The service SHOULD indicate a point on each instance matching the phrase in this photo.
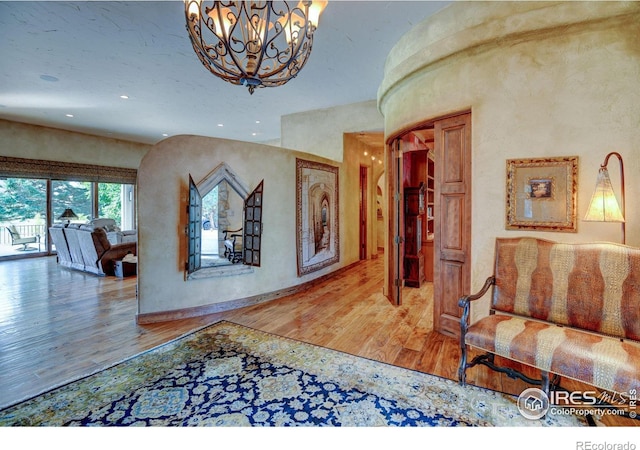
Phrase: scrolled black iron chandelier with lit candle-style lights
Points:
(253, 43)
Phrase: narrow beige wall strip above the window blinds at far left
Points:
(34, 142)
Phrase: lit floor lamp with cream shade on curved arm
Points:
(604, 206)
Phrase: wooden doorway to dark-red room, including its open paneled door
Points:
(429, 206)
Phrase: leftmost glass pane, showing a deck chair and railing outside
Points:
(23, 209)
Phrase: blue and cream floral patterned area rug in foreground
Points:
(231, 375)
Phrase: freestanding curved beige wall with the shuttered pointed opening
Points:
(162, 198)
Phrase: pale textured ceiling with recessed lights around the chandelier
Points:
(59, 58)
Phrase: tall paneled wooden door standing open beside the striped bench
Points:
(452, 246)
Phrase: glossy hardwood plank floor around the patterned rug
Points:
(57, 324)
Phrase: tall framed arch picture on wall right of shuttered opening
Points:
(317, 237)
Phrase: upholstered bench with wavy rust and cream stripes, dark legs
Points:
(569, 310)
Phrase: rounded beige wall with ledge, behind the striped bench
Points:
(542, 79)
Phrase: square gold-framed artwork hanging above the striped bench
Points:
(541, 194)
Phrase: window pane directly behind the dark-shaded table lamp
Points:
(74, 195)
